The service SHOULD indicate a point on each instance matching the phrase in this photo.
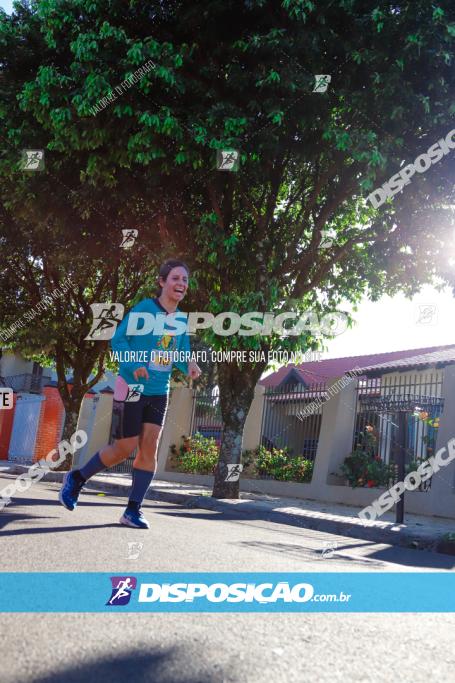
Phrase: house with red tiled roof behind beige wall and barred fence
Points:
(400, 397)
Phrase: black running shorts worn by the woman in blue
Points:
(129, 416)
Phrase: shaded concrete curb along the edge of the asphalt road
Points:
(391, 534)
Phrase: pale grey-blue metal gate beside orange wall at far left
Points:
(25, 428)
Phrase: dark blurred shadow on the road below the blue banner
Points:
(170, 666)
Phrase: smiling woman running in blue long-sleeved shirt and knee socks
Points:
(138, 423)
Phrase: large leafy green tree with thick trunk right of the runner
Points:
(241, 75)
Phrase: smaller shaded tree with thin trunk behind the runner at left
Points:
(69, 236)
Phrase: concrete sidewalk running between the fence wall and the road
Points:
(418, 531)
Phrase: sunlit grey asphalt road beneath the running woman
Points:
(37, 534)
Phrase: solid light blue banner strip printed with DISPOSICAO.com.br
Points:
(227, 592)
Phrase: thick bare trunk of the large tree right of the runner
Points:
(236, 394)
